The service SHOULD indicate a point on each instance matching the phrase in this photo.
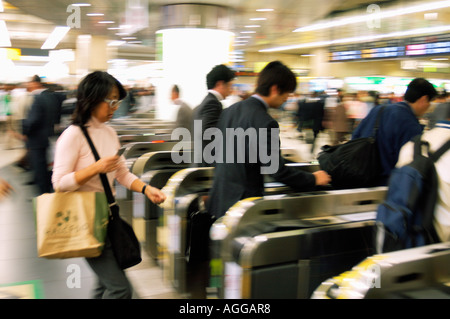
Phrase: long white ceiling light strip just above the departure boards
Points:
(414, 32)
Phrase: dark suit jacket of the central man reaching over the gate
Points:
(234, 181)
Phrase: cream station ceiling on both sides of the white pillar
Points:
(29, 22)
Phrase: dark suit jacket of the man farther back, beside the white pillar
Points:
(208, 112)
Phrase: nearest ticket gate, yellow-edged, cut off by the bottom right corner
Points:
(416, 273)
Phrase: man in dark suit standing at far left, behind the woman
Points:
(37, 128)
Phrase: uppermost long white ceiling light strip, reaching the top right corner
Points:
(383, 14)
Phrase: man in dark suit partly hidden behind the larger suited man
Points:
(219, 84)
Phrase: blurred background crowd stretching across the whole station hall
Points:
(336, 112)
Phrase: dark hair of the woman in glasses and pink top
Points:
(92, 90)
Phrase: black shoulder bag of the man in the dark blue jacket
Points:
(355, 163)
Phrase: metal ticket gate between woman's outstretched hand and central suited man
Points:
(187, 191)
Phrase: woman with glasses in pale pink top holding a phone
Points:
(75, 168)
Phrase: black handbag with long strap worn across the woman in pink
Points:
(125, 245)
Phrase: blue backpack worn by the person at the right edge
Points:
(405, 218)
